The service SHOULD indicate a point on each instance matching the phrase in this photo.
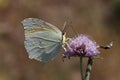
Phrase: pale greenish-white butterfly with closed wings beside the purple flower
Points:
(43, 41)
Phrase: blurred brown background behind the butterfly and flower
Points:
(97, 18)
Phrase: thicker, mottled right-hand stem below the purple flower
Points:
(88, 69)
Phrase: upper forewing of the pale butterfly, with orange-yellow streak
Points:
(30, 23)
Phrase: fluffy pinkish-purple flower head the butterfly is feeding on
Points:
(82, 45)
